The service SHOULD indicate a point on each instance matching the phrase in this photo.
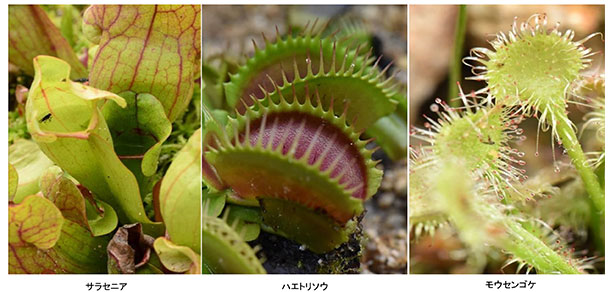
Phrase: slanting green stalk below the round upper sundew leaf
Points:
(577, 157)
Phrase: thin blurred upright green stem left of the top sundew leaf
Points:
(454, 74)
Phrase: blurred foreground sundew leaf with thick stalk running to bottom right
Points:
(475, 219)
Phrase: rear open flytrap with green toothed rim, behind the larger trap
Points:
(283, 61)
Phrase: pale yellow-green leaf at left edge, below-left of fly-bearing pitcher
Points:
(29, 162)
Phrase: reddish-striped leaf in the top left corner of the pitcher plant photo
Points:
(31, 33)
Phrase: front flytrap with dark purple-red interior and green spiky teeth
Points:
(268, 156)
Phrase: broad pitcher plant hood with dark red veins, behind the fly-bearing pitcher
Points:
(152, 49)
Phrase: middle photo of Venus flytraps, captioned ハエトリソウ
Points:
(305, 139)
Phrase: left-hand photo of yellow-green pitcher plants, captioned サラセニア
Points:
(104, 139)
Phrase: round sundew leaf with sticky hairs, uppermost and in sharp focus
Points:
(531, 65)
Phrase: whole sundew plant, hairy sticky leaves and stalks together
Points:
(468, 174)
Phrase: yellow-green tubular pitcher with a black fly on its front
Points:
(65, 121)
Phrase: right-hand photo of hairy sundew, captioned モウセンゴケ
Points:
(507, 139)
